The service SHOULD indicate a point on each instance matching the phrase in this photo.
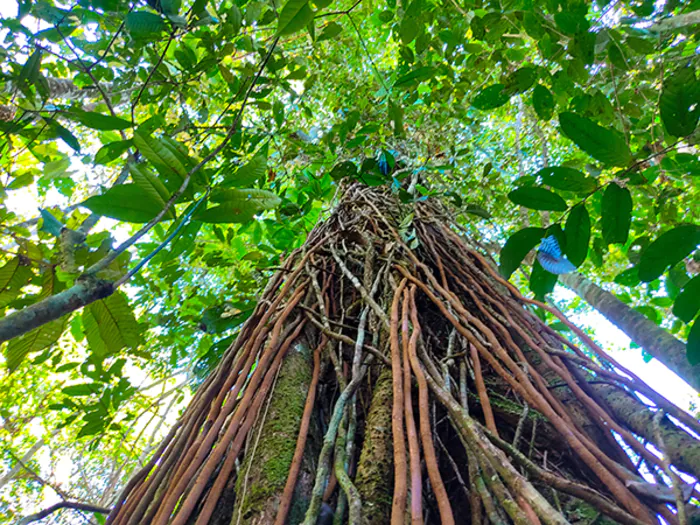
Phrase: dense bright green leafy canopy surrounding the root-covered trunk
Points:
(217, 135)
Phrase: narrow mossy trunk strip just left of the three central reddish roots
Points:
(375, 473)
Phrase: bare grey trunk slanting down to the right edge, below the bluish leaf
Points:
(654, 339)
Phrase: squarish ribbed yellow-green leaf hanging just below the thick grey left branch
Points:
(110, 325)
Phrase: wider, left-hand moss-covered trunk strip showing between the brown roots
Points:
(263, 474)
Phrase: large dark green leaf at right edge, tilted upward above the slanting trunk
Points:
(671, 247)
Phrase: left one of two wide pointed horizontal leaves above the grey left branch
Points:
(126, 202)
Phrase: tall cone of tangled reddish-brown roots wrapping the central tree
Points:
(388, 372)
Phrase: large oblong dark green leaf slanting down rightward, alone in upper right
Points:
(605, 145)
